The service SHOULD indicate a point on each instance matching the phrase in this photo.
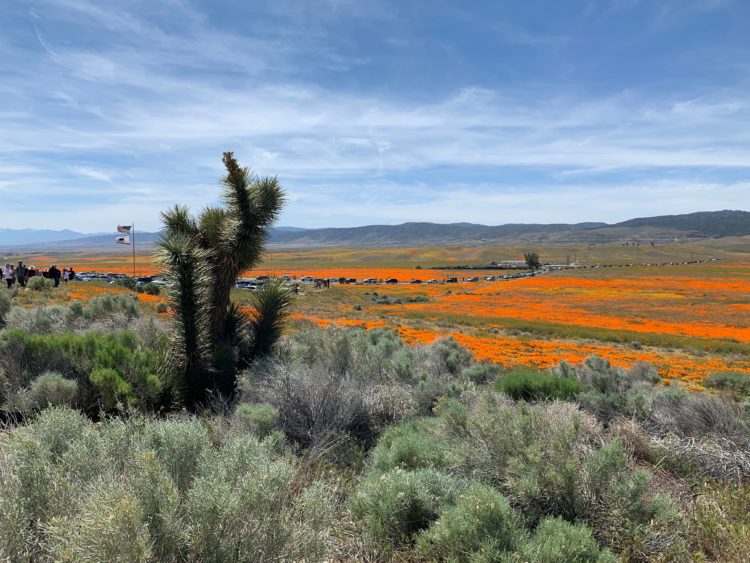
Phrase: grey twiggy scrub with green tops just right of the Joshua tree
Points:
(329, 384)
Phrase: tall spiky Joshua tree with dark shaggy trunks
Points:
(202, 258)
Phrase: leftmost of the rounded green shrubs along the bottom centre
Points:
(395, 506)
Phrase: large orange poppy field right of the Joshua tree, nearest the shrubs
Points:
(687, 321)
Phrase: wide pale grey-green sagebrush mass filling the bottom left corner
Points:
(145, 490)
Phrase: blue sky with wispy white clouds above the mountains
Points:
(374, 112)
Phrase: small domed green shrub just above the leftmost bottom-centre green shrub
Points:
(408, 446)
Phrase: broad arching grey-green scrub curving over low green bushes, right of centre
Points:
(547, 459)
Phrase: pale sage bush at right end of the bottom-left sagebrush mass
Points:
(241, 508)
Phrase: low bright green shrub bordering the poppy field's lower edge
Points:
(532, 385)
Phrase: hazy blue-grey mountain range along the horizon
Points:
(666, 228)
